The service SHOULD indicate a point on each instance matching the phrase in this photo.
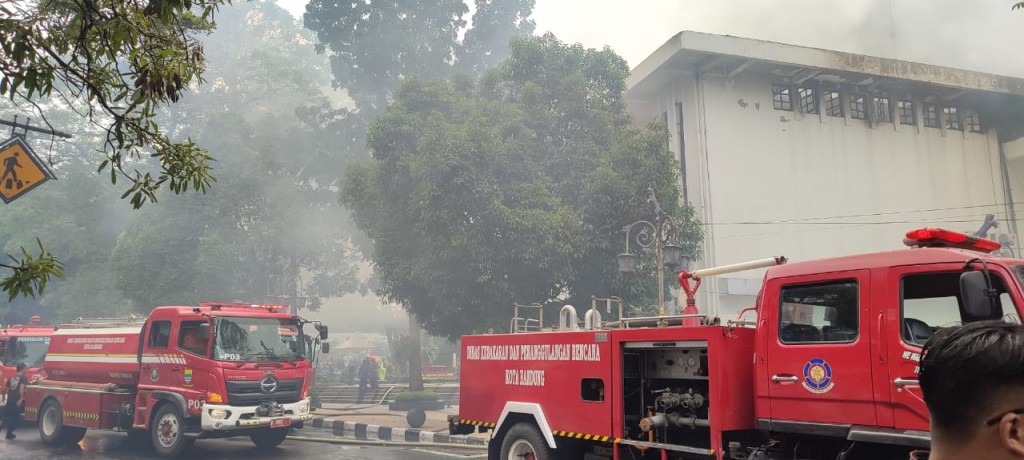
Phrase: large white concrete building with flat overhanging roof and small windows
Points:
(810, 153)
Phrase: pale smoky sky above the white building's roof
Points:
(978, 35)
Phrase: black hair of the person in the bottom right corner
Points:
(966, 370)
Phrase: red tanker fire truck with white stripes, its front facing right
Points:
(217, 370)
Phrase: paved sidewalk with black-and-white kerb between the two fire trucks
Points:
(369, 422)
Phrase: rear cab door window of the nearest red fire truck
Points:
(820, 313)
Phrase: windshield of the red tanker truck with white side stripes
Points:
(259, 340)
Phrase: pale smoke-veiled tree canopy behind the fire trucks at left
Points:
(272, 228)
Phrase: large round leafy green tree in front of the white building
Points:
(514, 189)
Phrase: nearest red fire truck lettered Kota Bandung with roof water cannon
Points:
(825, 366)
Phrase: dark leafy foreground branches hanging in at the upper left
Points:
(116, 63)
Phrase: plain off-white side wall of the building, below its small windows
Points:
(763, 180)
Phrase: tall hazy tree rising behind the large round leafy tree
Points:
(374, 46)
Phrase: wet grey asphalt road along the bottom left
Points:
(100, 445)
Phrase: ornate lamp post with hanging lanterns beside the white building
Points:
(657, 234)
